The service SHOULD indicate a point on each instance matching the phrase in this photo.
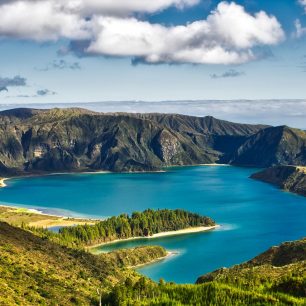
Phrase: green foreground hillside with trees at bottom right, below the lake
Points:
(276, 277)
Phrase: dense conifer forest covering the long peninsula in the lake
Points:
(139, 224)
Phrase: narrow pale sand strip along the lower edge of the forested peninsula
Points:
(162, 234)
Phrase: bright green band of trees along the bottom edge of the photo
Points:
(146, 292)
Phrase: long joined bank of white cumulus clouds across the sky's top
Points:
(227, 36)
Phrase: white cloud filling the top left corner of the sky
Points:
(40, 20)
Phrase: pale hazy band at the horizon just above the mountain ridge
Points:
(270, 112)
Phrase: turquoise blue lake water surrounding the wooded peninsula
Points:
(253, 215)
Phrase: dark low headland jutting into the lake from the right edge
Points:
(290, 178)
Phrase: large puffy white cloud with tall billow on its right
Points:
(225, 37)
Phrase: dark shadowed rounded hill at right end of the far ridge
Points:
(272, 146)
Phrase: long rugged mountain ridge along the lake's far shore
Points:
(38, 141)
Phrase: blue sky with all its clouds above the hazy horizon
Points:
(267, 55)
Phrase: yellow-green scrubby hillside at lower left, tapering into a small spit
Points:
(35, 271)
